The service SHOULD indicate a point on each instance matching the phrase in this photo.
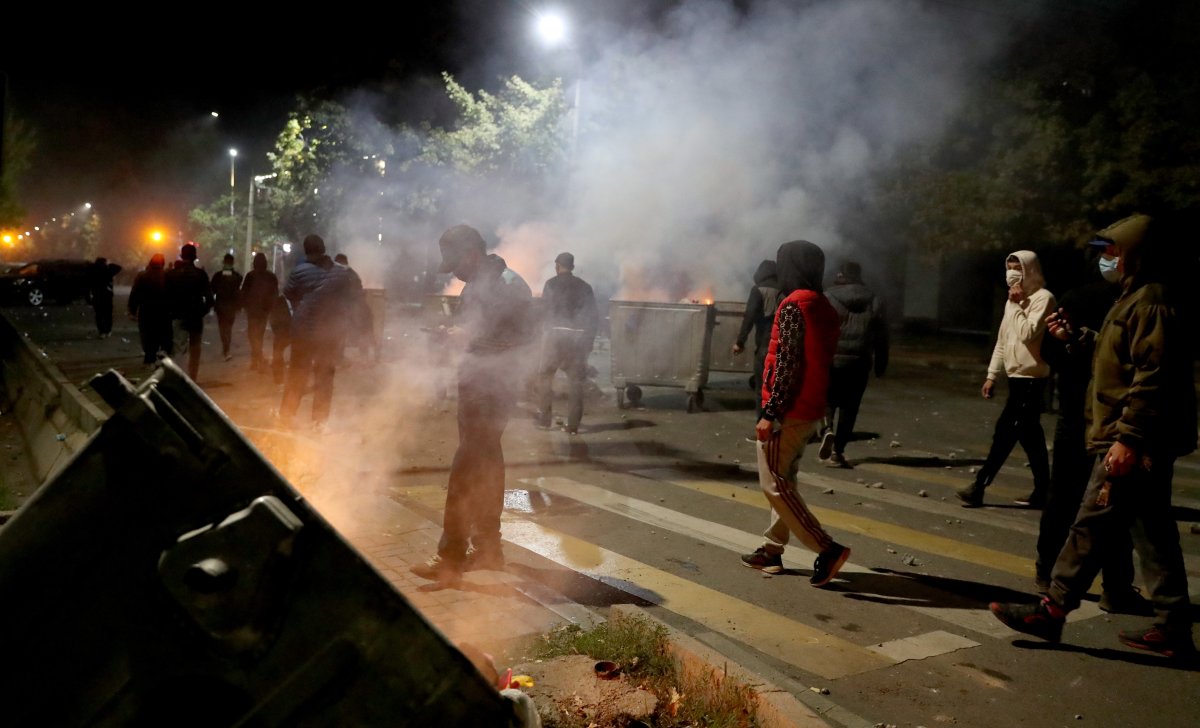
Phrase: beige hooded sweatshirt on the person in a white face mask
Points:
(1018, 351)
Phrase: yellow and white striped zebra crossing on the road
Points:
(796, 642)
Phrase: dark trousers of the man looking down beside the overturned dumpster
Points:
(476, 492)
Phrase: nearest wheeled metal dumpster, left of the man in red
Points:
(661, 345)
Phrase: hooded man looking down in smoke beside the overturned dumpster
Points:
(495, 321)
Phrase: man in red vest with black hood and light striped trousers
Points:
(796, 380)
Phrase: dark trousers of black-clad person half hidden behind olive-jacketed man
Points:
(1070, 472)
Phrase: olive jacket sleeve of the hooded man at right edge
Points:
(1144, 401)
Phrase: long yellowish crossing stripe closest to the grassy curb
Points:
(808, 648)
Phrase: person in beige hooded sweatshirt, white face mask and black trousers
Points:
(1018, 356)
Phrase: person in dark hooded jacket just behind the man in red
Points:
(865, 336)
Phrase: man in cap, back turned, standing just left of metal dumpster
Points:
(571, 322)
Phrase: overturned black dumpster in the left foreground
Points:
(170, 576)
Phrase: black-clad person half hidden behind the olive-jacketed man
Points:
(1071, 342)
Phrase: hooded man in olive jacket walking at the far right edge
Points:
(1142, 419)
